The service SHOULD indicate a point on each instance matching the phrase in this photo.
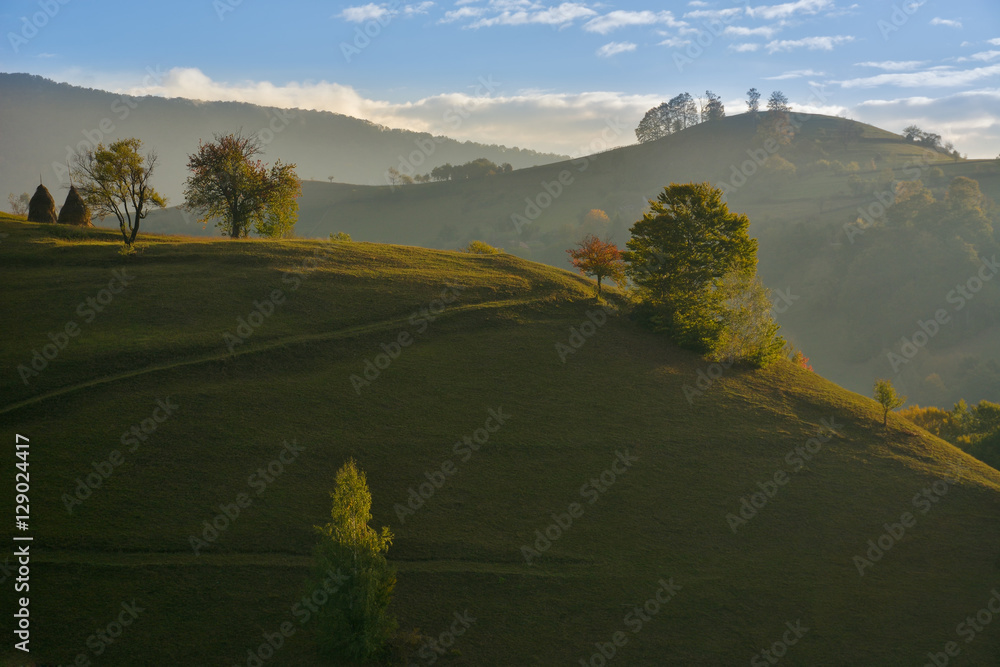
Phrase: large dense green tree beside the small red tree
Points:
(678, 256)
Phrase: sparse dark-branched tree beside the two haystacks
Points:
(115, 180)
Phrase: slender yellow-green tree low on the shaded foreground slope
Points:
(355, 623)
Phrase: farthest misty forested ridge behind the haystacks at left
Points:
(39, 119)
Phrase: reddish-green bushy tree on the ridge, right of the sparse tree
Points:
(228, 184)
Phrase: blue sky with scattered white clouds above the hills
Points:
(561, 77)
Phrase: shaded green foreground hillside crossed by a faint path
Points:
(622, 392)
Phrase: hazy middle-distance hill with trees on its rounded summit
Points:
(846, 313)
